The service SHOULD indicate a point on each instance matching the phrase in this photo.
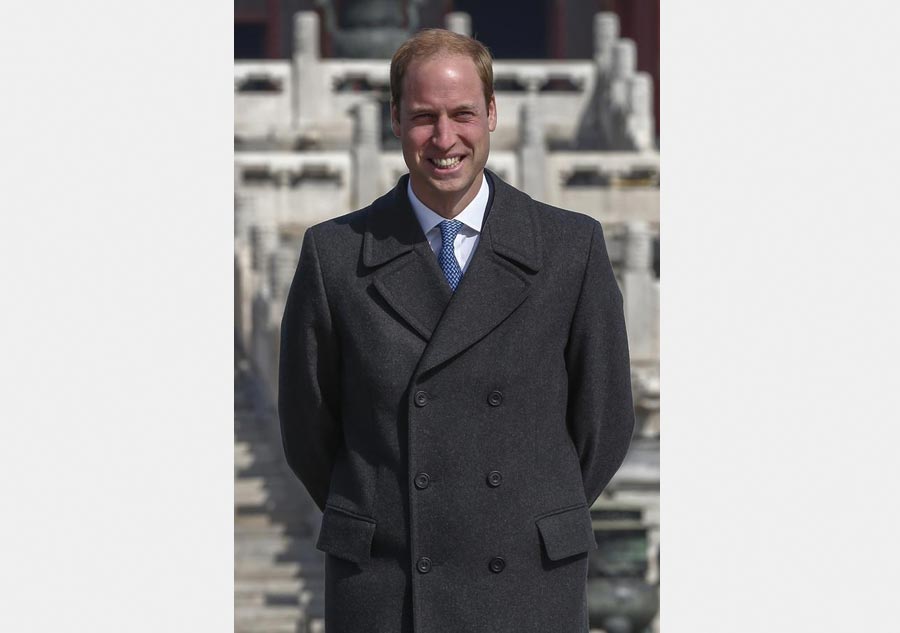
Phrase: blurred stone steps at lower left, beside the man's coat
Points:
(279, 576)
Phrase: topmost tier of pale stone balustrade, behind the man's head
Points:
(601, 103)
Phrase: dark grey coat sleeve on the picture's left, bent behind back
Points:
(308, 377)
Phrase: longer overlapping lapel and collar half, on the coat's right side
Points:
(498, 278)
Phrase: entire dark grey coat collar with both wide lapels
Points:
(408, 278)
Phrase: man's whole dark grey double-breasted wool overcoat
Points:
(455, 441)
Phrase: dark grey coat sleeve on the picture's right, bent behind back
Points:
(600, 412)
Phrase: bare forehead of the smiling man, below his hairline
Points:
(442, 77)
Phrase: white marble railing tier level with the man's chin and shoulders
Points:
(307, 187)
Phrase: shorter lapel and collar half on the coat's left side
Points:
(408, 278)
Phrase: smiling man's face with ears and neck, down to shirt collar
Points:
(444, 127)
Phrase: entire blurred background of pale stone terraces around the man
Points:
(577, 85)
